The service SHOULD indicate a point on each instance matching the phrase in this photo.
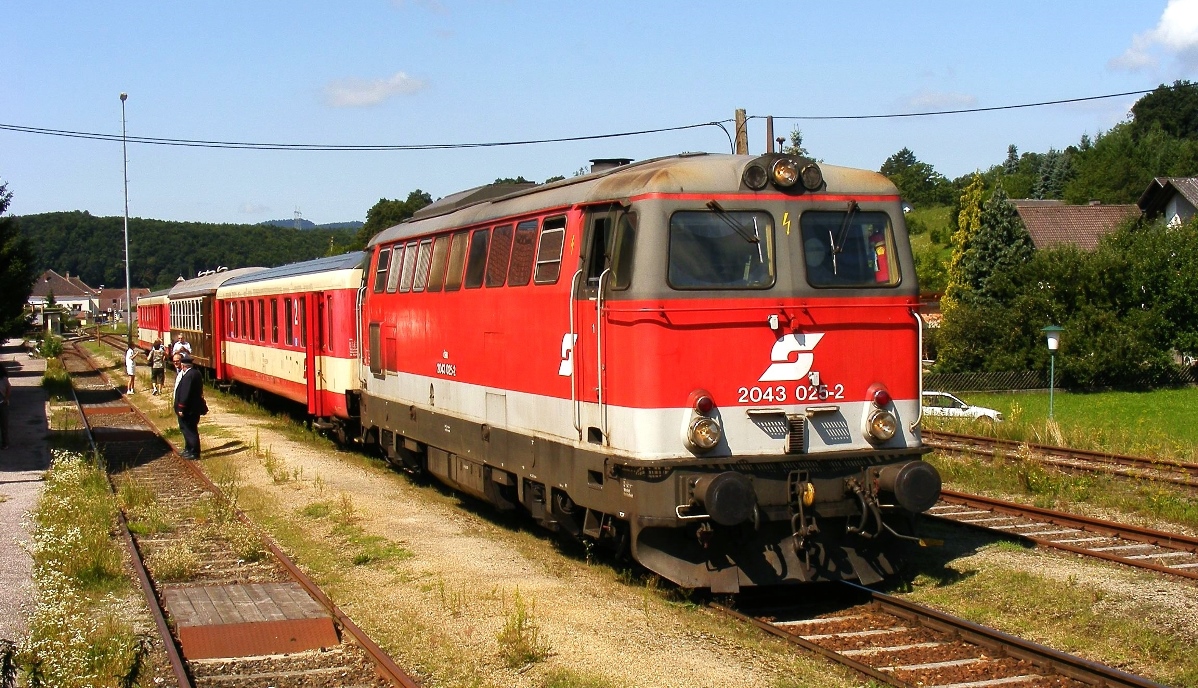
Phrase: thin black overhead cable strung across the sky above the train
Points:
(344, 148)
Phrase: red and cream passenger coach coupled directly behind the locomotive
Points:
(291, 331)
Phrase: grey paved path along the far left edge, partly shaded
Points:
(21, 484)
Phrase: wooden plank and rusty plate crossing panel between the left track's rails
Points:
(245, 620)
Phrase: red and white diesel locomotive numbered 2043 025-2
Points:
(710, 360)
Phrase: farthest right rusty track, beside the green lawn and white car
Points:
(1184, 474)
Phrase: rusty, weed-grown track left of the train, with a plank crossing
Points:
(245, 615)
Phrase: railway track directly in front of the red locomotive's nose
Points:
(899, 643)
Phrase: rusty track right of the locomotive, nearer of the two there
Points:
(1145, 548)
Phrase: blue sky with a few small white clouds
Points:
(443, 71)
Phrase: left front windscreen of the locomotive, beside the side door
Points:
(722, 250)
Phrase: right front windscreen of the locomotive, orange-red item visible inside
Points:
(849, 249)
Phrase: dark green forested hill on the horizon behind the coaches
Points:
(161, 252)
